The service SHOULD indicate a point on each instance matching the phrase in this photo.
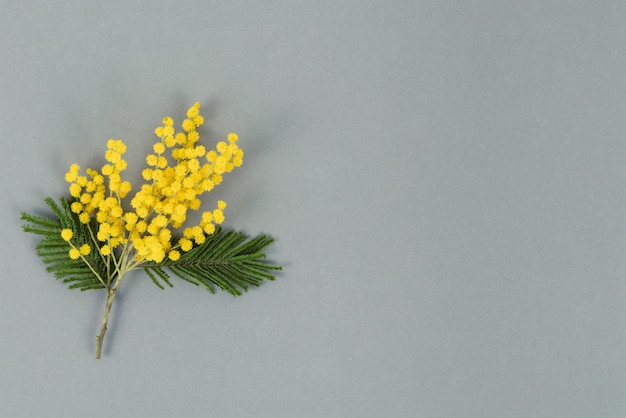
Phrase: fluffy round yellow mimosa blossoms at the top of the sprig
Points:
(173, 186)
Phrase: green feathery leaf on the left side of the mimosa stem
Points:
(54, 251)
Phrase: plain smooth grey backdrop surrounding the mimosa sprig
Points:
(445, 180)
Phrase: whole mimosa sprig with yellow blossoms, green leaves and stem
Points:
(94, 239)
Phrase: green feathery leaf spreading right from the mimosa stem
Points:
(229, 261)
